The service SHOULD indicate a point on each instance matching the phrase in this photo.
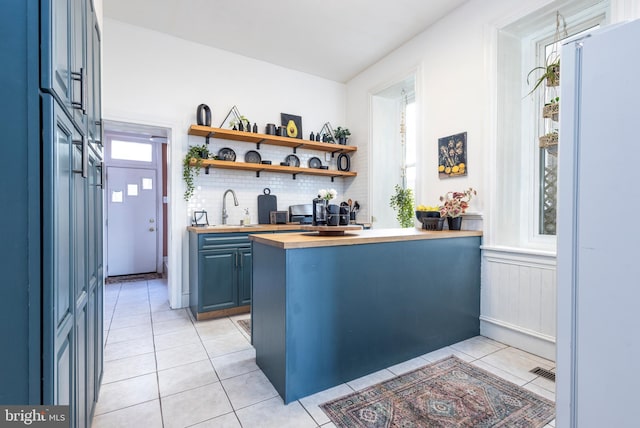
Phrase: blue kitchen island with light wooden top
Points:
(329, 309)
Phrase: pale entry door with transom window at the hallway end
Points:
(135, 216)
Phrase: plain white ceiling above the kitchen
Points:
(334, 39)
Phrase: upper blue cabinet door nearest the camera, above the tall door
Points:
(64, 57)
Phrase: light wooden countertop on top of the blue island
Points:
(312, 239)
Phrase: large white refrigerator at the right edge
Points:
(598, 270)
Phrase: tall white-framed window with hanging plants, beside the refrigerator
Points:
(524, 173)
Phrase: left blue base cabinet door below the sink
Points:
(217, 288)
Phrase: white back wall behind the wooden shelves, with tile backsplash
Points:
(156, 79)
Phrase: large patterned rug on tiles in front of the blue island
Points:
(447, 393)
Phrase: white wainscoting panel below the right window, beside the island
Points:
(518, 299)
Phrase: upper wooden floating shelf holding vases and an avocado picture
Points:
(273, 140)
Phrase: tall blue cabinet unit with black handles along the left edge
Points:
(51, 172)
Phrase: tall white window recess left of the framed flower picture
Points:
(393, 147)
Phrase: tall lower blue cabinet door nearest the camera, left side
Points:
(60, 137)
